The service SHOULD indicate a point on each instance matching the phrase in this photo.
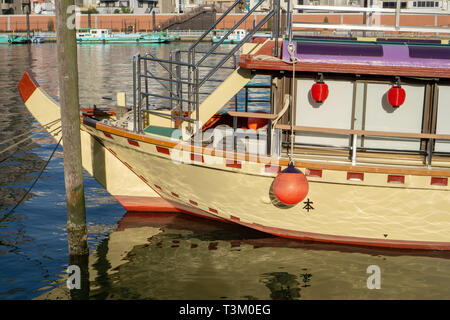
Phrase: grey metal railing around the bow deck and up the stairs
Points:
(182, 80)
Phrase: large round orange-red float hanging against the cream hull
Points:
(291, 185)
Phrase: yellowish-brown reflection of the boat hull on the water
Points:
(176, 256)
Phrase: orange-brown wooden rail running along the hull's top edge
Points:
(233, 155)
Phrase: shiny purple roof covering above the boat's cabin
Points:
(385, 55)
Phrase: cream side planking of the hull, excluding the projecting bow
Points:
(370, 212)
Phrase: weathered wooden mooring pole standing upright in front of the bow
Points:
(70, 120)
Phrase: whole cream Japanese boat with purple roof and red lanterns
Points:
(355, 147)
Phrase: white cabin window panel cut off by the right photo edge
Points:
(443, 116)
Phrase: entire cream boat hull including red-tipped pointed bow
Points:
(138, 168)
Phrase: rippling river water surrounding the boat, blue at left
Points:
(161, 256)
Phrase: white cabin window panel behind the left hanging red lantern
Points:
(334, 112)
